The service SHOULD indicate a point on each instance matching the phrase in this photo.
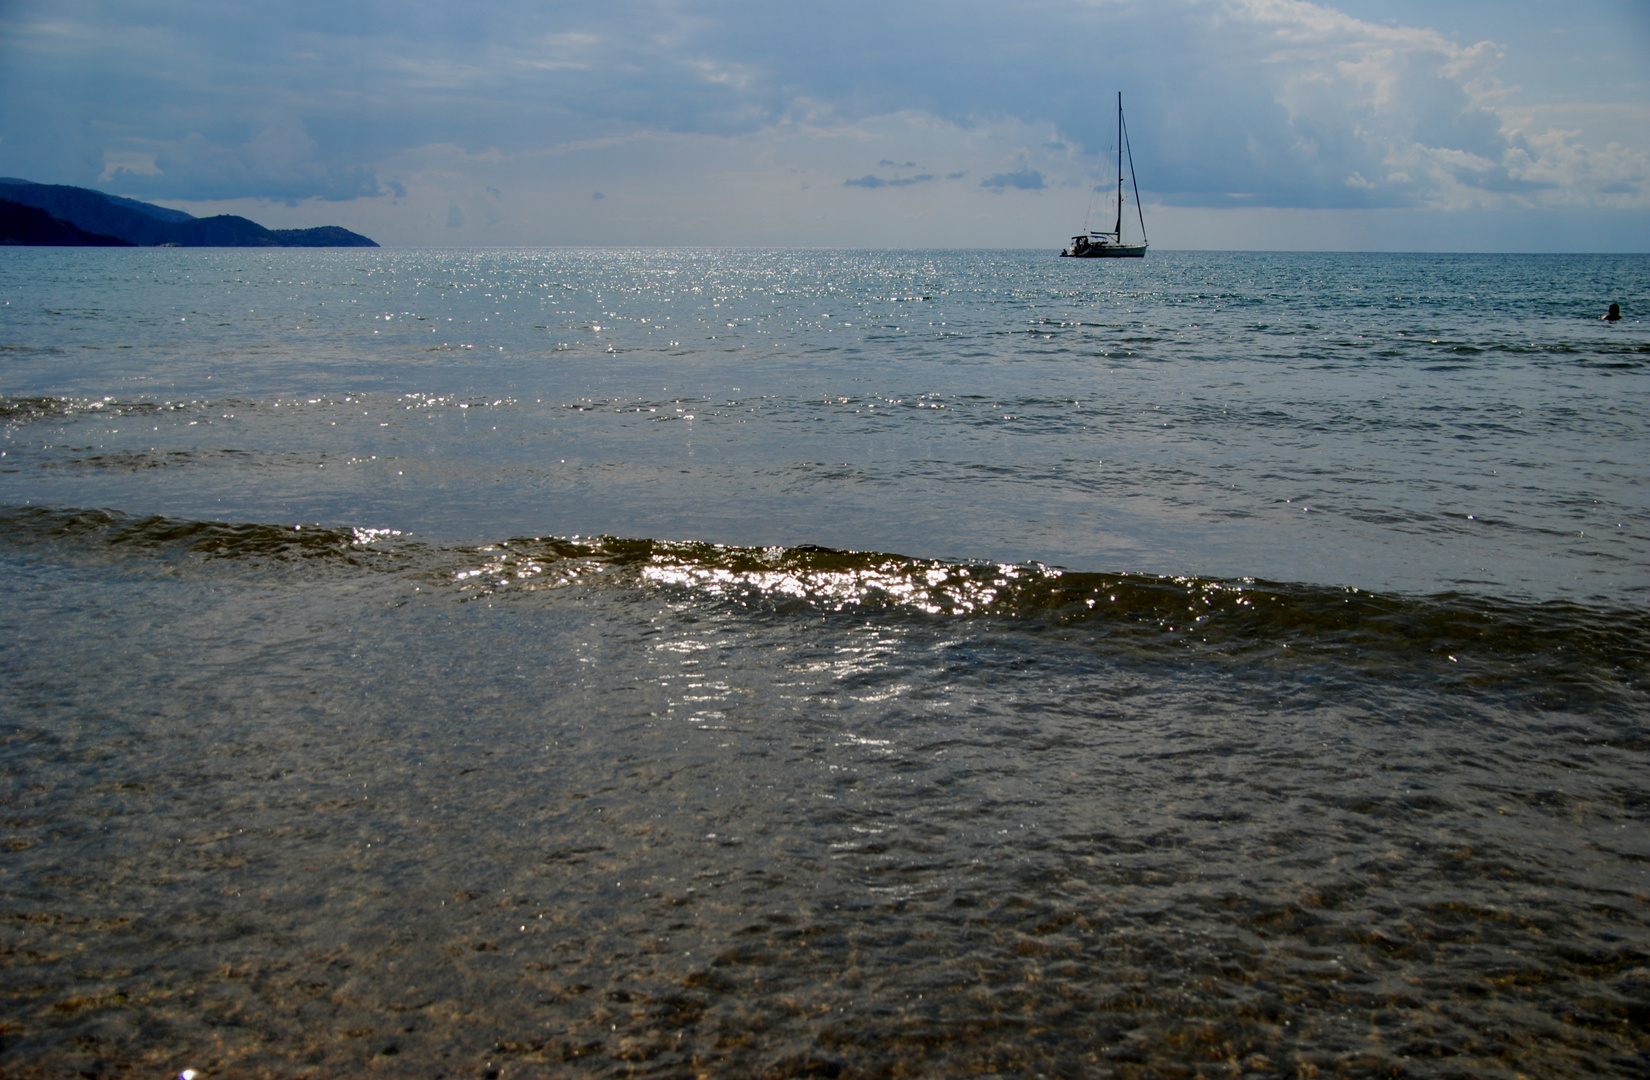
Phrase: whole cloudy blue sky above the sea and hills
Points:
(1253, 124)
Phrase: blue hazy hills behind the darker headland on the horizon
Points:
(143, 223)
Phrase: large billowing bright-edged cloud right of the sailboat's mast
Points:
(1334, 111)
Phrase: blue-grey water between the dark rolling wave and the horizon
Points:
(1408, 423)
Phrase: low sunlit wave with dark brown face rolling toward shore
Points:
(1557, 646)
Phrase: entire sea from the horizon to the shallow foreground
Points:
(823, 664)
